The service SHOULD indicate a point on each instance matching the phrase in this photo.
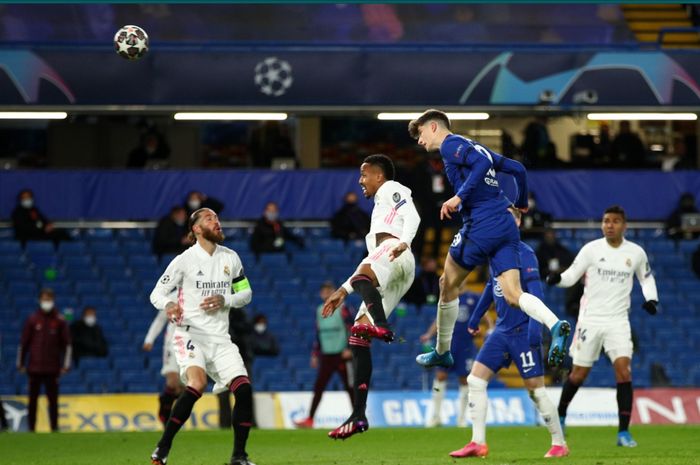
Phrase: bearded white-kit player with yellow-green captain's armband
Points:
(209, 280)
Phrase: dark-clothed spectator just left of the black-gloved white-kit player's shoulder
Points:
(554, 257)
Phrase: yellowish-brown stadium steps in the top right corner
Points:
(647, 21)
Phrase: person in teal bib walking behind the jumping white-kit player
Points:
(330, 353)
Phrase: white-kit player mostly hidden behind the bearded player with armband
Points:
(170, 370)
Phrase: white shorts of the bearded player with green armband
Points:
(221, 360)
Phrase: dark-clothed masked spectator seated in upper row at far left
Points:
(30, 224)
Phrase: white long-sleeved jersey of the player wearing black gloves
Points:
(608, 279)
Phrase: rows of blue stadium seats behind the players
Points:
(115, 271)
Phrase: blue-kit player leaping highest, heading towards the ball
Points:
(489, 233)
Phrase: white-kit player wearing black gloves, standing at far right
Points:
(609, 265)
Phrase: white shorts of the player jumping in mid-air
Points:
(395, 278)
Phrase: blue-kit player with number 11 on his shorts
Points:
(518, 339)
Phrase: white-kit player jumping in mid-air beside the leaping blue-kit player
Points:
(381, 279)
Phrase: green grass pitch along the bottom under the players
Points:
(658, 445)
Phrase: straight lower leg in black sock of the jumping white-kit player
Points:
(362, 365)
